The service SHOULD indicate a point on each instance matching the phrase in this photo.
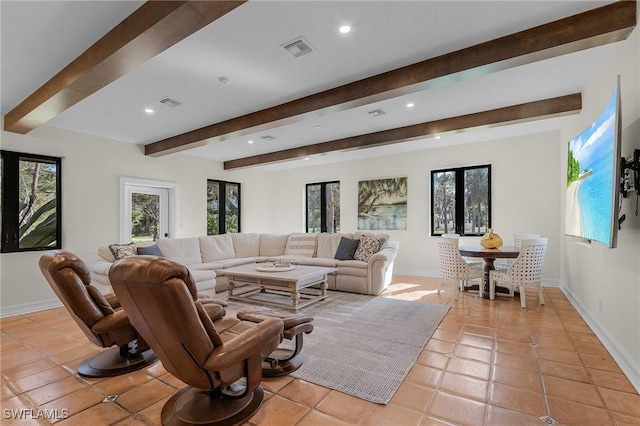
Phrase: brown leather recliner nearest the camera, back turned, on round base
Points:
(222, 369)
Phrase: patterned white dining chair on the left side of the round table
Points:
(454, 267)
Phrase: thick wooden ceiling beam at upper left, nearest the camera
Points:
(151, 29)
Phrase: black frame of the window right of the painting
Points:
(460, 199)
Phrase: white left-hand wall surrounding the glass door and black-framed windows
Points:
(91, 171)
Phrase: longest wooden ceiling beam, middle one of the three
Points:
(603, 25)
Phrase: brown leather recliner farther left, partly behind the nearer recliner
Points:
(99, 316)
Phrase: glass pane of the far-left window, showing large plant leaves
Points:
(37, 218)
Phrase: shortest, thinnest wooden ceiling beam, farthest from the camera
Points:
(547, 108)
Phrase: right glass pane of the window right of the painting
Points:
(476, 200)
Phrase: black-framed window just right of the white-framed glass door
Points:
(223, 207)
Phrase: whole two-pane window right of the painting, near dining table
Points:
(461, 200)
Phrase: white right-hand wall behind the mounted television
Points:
(605, 283)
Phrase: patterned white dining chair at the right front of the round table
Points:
(525, 271)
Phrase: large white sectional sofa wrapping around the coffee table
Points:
(208, 256)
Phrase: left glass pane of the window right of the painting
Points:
(444, 202)
